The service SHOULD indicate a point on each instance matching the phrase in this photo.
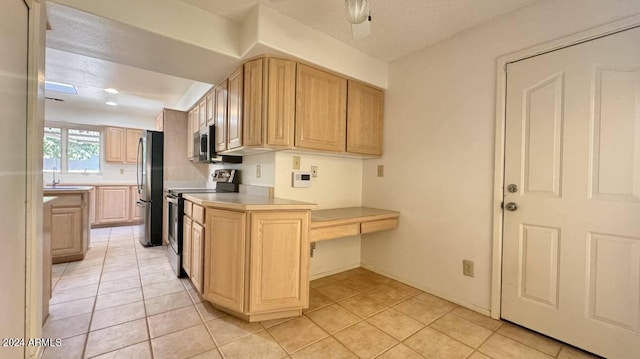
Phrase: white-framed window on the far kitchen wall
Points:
(71, 149)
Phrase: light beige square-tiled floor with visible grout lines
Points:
(123, 301)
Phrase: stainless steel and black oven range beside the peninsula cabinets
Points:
(226, 181)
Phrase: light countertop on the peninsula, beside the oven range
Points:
(246, 202)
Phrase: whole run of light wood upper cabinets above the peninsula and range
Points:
(274, 103)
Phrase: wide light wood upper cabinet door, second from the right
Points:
(321, 110)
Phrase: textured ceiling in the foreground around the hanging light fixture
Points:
(399, 27)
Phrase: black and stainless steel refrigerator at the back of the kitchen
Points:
(149, 182)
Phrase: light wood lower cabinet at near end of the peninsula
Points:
(256, 263)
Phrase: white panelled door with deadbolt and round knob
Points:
(571, 248)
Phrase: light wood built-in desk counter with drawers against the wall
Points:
(344, 222)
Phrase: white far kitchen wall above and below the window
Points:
(110, 172)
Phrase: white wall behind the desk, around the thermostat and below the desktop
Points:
(339, 184)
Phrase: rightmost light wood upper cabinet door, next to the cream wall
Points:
(365, 108)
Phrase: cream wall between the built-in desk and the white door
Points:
(439, 148)
